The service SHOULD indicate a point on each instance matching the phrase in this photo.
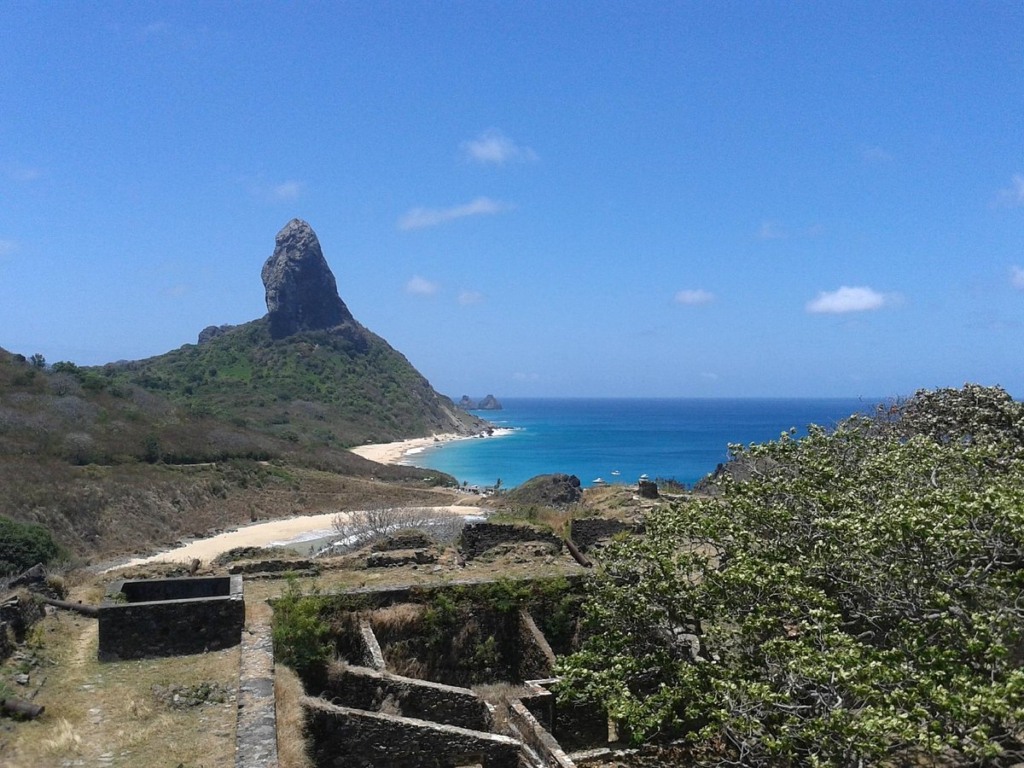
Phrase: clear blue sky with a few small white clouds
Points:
(532, 198)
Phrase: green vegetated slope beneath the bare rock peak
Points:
(337, 388)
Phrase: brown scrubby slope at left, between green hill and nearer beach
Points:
(112, 467)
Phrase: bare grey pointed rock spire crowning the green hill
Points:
(302, 293)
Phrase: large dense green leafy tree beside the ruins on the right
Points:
(848, 599)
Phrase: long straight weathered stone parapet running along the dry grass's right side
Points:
(257, 732)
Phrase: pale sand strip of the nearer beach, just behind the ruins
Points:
(269, 534)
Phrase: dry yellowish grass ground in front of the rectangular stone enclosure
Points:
(107, 714)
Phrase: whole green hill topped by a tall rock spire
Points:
(308, 371)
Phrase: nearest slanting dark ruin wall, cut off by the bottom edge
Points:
(344, 738)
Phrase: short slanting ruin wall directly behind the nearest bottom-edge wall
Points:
(363, 689)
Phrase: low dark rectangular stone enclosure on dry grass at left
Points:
(172, 626)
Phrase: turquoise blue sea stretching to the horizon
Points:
(684, 440)
